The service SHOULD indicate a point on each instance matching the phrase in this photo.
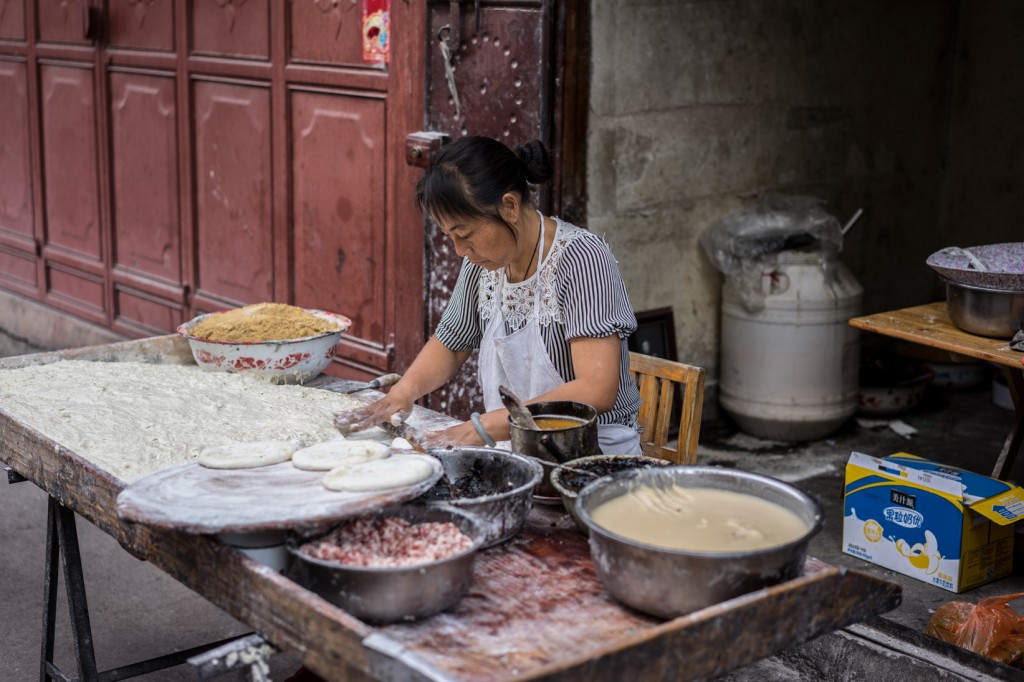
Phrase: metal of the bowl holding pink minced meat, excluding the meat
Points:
(405, 593)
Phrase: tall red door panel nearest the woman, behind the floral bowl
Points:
(338, 181)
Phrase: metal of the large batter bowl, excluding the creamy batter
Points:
(669, 583)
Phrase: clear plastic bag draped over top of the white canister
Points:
(746, 244)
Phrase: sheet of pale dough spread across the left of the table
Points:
(134, 419)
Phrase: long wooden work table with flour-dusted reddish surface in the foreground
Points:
(536, 609)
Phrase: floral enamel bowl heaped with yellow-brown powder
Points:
(282, 344)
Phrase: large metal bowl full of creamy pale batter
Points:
(669, 541)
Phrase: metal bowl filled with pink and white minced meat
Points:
(402, 564)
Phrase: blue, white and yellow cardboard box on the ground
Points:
(945, 526)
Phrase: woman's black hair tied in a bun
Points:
(470, 178)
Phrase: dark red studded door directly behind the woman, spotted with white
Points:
(518, 68)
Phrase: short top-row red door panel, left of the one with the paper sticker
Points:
(233, 28)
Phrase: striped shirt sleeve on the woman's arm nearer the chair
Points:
(591, 293)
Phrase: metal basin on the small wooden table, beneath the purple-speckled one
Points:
(993, 313)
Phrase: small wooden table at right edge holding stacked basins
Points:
(930, 326)
